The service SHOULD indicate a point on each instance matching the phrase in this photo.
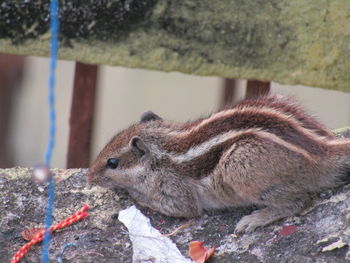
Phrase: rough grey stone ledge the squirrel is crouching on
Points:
(322, 233)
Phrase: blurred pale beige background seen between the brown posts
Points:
(122, 95)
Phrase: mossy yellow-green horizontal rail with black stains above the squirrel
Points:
(292, 42)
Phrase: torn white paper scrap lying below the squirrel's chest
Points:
(149, 245)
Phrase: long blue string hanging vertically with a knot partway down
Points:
(54, 28)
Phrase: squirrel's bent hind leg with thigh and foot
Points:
(262, 170)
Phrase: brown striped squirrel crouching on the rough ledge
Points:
(266, 151)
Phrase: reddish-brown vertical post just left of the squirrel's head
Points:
(81, 116)
